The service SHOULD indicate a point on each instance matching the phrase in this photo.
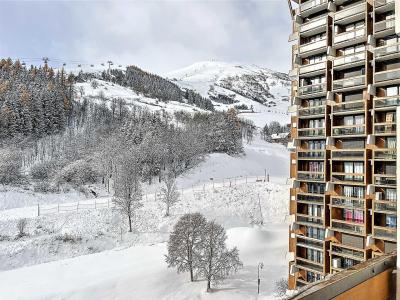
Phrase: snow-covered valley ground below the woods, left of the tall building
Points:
(82, 254)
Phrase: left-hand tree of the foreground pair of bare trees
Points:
(184, 243)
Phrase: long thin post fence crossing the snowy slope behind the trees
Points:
(212, 184)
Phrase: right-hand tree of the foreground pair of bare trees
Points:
(216, 261)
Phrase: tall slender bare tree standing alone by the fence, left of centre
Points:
(128, 193)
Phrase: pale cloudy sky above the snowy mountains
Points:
(158, 36)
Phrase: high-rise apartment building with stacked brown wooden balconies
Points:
(345, 92)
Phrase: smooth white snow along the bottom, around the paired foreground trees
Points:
(140, 272)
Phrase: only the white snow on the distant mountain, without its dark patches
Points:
(201, 76)
